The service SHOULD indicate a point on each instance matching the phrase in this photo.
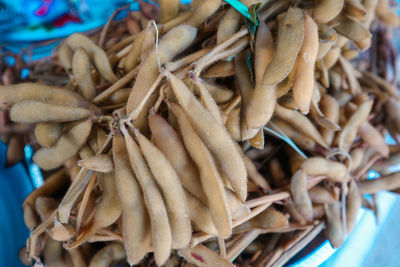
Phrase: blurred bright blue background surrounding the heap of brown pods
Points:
(31, 29)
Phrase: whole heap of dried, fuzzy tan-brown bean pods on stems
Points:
(205, 139)
